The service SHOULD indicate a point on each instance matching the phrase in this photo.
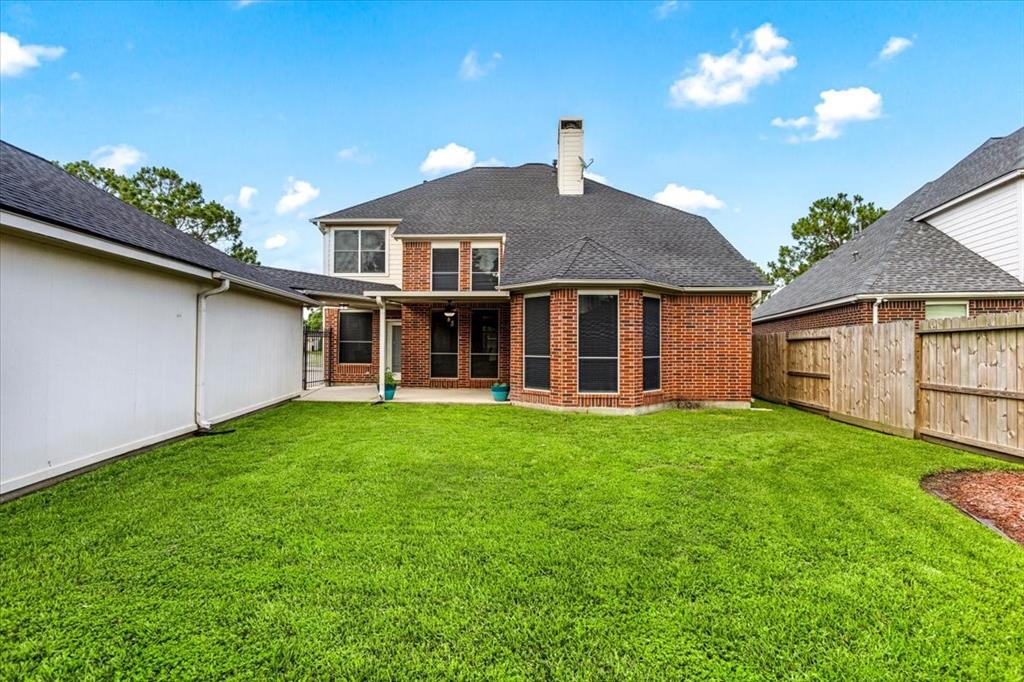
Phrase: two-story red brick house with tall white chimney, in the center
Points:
(580, 295)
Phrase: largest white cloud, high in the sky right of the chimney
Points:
(729, 79)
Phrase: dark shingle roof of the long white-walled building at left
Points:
(34, 187)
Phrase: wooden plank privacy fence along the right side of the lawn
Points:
(960, 381)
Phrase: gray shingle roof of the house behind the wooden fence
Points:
(899, 255)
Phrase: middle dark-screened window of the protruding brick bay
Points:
(599, 343)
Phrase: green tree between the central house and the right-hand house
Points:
(830, 223)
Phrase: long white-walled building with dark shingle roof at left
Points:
(118, 332)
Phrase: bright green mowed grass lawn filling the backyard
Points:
(399, 541)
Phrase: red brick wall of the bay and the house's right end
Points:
(706, 352)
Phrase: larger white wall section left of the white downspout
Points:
(97, 359)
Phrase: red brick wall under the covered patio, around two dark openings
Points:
(416, 346)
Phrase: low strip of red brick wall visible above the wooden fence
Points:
(861, 314)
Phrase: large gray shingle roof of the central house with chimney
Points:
(629, 235)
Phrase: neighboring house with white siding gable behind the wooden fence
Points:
(954, 248)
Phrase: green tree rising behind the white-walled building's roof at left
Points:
(166, 196)
